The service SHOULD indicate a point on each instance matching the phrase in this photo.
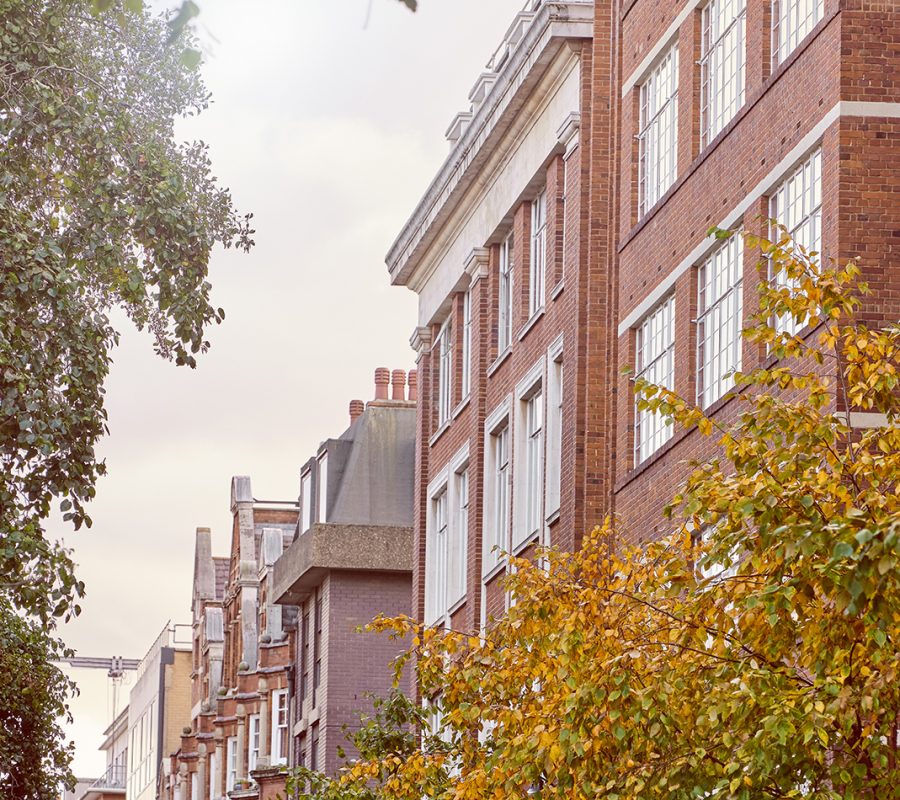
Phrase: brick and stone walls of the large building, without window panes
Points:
(609, 264)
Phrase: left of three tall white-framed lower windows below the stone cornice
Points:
(497, 484)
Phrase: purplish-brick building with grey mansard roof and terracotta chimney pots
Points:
(349, 562)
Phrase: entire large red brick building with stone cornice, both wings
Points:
(565, 237)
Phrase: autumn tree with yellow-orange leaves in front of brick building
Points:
(753, 653)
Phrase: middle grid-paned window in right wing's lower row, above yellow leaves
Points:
(720, 306)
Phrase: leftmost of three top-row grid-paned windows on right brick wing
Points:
(658, 137)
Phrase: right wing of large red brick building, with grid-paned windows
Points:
(733, 112)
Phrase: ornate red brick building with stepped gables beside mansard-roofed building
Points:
(238, 741)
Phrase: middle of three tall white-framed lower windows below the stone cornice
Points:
(528, 491)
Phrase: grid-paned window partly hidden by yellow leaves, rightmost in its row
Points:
(797, 204)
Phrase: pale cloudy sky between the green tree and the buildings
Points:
(327, 123)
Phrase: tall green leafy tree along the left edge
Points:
(101, 211)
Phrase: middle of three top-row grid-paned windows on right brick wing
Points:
(722, 64)
